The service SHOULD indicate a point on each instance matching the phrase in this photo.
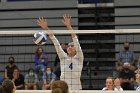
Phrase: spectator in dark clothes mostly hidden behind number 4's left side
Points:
(57, 63)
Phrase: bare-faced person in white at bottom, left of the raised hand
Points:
(109, 84)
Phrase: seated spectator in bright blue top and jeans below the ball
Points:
(41, 61)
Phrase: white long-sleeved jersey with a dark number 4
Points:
(71, 67)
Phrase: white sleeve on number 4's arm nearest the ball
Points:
(58, 48)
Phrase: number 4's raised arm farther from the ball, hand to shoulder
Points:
(67, 22)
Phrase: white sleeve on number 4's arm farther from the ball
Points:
(79, 51)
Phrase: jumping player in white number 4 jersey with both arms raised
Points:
(71, 62)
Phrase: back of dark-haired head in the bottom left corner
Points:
(8, 86)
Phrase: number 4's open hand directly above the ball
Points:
(43, 23)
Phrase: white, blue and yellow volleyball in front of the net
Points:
(40, 38)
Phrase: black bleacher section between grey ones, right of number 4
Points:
(97, 15)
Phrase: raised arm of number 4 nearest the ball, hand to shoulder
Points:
(43, 23)
